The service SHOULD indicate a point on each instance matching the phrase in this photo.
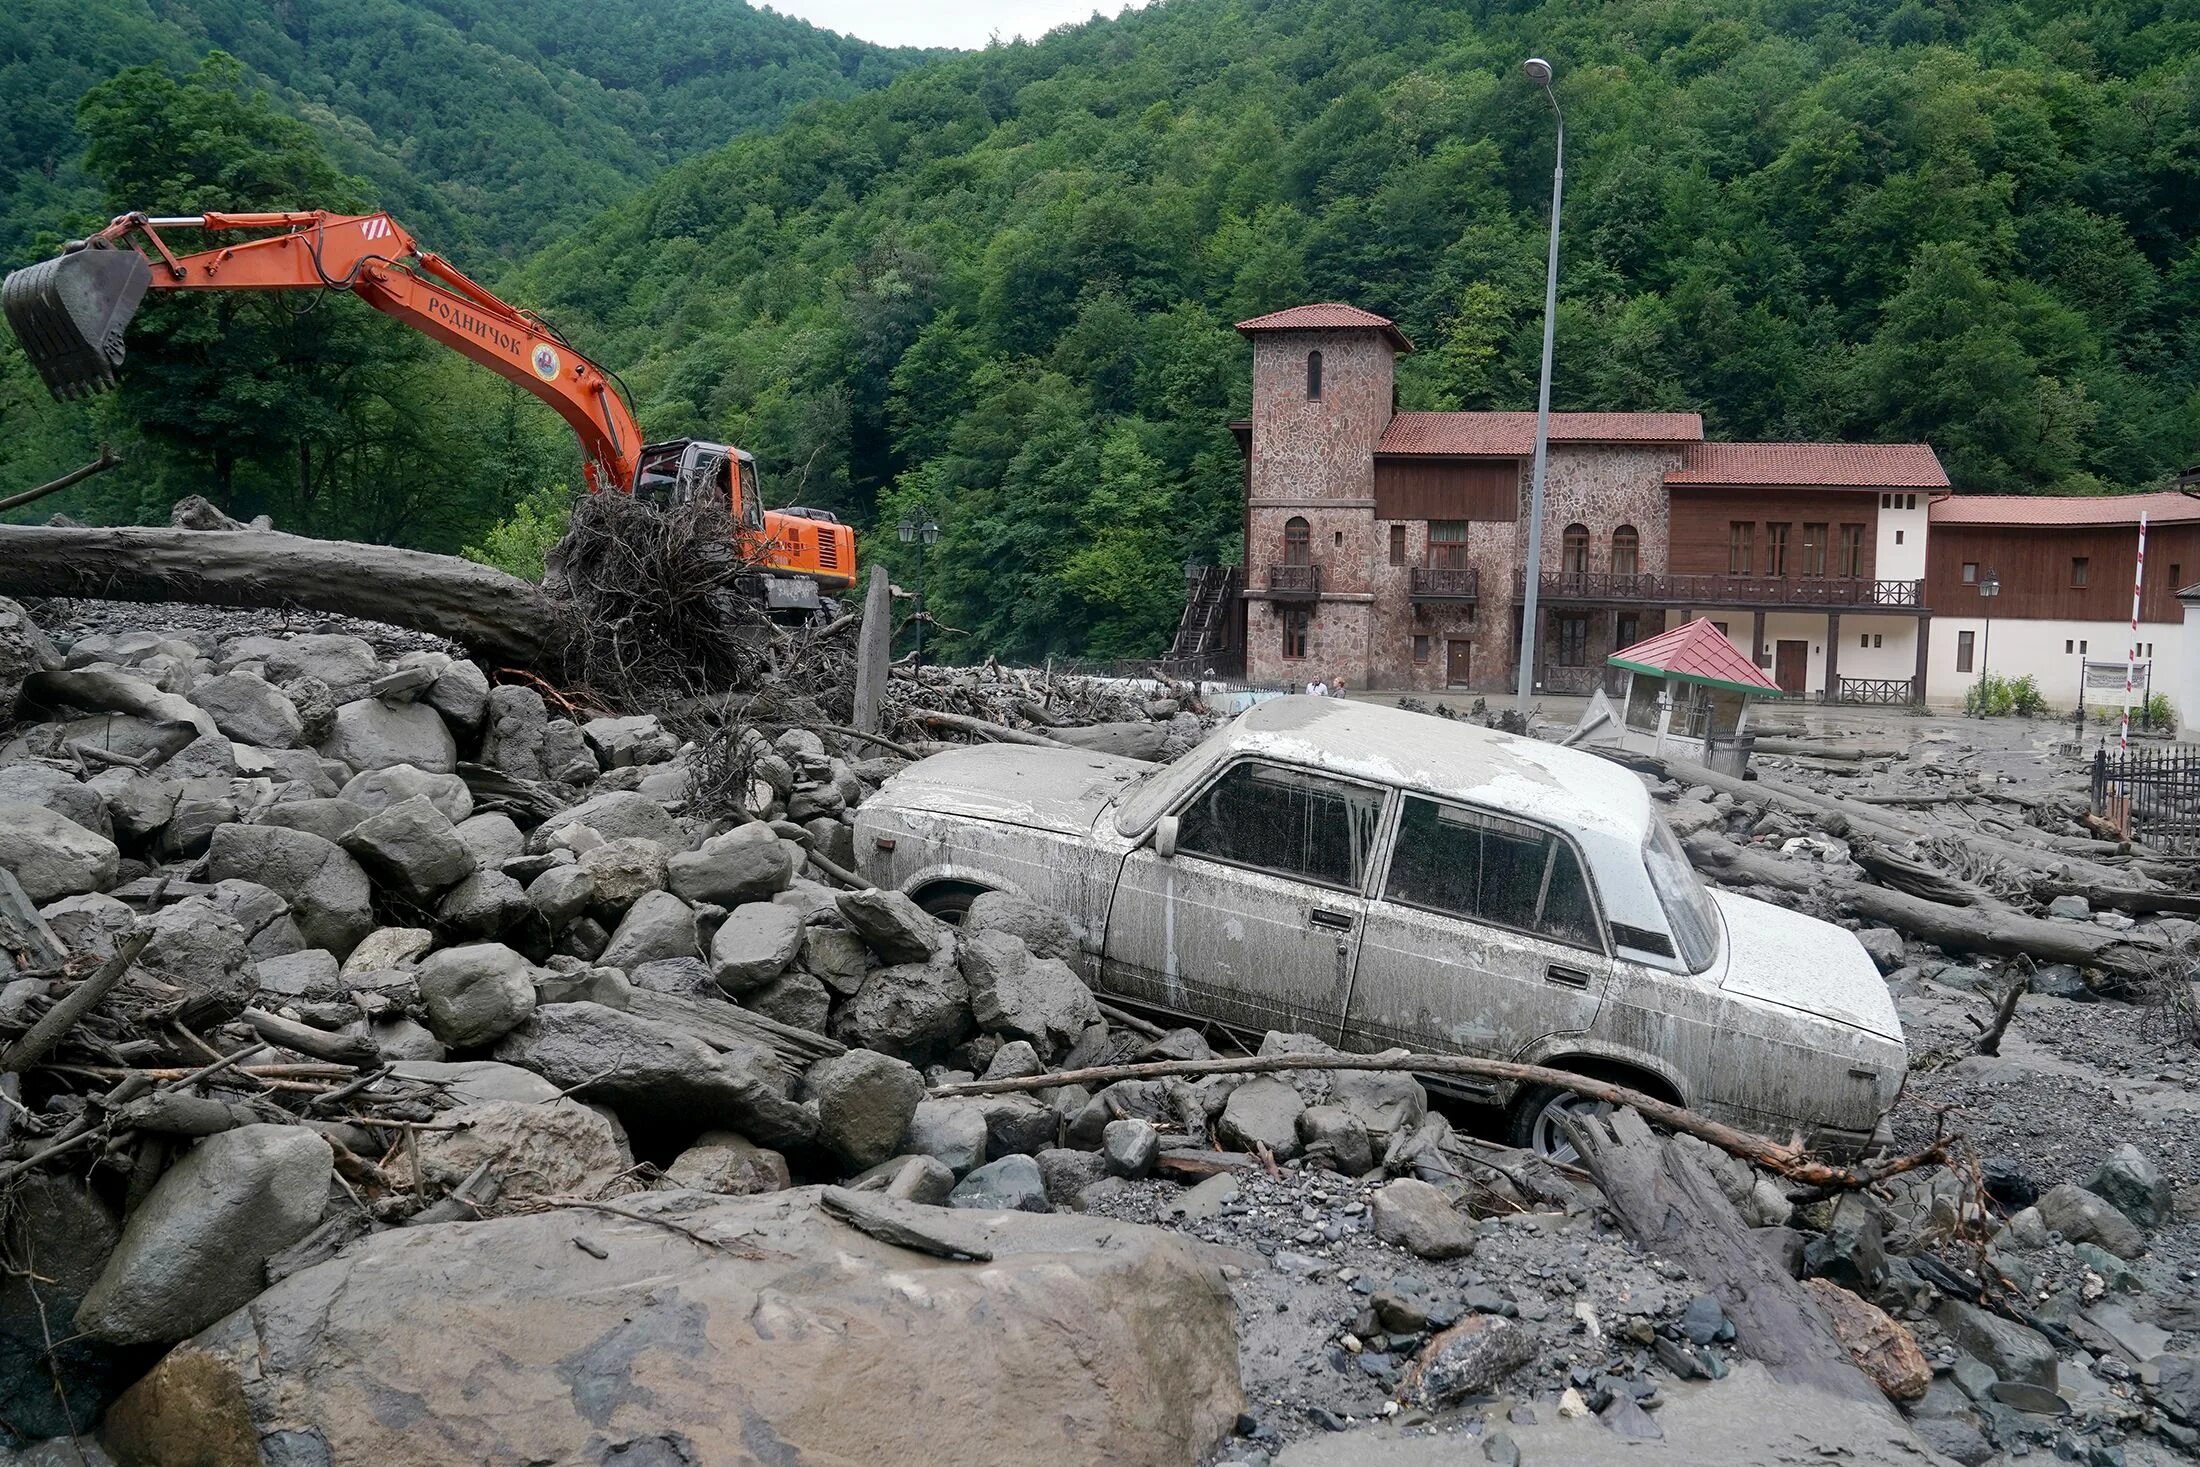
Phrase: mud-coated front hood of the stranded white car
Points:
(1044, 788)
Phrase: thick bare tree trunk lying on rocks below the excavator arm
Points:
(498, 617)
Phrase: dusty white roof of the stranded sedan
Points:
(1446, 758)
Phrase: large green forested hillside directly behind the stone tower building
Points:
(1006, 283)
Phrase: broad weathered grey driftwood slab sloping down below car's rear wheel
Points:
(1673, 1209)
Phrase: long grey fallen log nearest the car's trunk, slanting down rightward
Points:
(1985, 927)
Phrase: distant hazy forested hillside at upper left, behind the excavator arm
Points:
(492, 124)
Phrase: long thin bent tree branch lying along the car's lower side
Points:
(1792, 1162)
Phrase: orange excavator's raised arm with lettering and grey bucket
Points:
(71, 311)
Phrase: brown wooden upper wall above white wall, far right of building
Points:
(2038, 580)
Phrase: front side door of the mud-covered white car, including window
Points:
(1255, 918)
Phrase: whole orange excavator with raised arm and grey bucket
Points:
(71, 316)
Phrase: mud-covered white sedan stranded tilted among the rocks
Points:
(1387, 879)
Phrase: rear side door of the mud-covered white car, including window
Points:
(1484, 940)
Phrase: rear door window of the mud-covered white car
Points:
(1484, 868)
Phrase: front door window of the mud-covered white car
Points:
(1288, 821)
